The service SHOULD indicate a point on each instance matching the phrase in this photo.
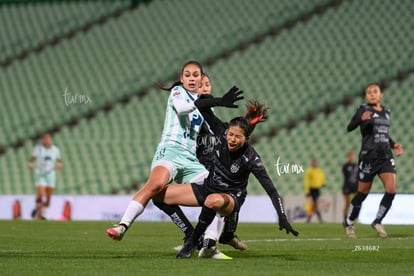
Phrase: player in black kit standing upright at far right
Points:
(375, 157)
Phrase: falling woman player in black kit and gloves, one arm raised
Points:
(233, 159)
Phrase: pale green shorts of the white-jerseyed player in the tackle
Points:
(183, 166)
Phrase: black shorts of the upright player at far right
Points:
(368, 169)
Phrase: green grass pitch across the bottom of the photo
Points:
(81, 248)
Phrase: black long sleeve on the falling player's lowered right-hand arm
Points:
(259, 171)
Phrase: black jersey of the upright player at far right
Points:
(376, 142)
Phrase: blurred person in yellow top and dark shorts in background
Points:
(314, 180)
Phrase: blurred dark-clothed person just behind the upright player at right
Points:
(350, 185)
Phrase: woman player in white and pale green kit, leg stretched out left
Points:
(175, 157)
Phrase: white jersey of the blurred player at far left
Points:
(46, 158)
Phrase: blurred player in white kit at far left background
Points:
(45, 160)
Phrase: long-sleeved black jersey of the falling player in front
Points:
(229, 171)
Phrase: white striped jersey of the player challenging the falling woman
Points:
(182, 120)
